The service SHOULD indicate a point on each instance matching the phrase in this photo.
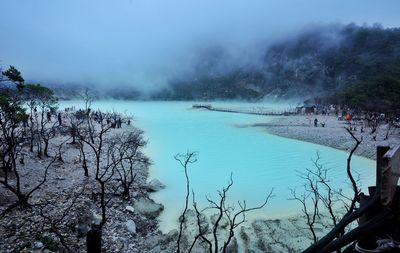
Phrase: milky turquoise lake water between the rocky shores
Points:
(226, 144)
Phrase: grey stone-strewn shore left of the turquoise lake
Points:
(64, 208)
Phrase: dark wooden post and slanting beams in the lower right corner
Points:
(375, 213)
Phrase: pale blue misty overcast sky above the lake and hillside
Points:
(142, 43)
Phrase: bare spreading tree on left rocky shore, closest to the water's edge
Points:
(113, 155)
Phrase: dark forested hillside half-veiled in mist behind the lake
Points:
(356, 65)
